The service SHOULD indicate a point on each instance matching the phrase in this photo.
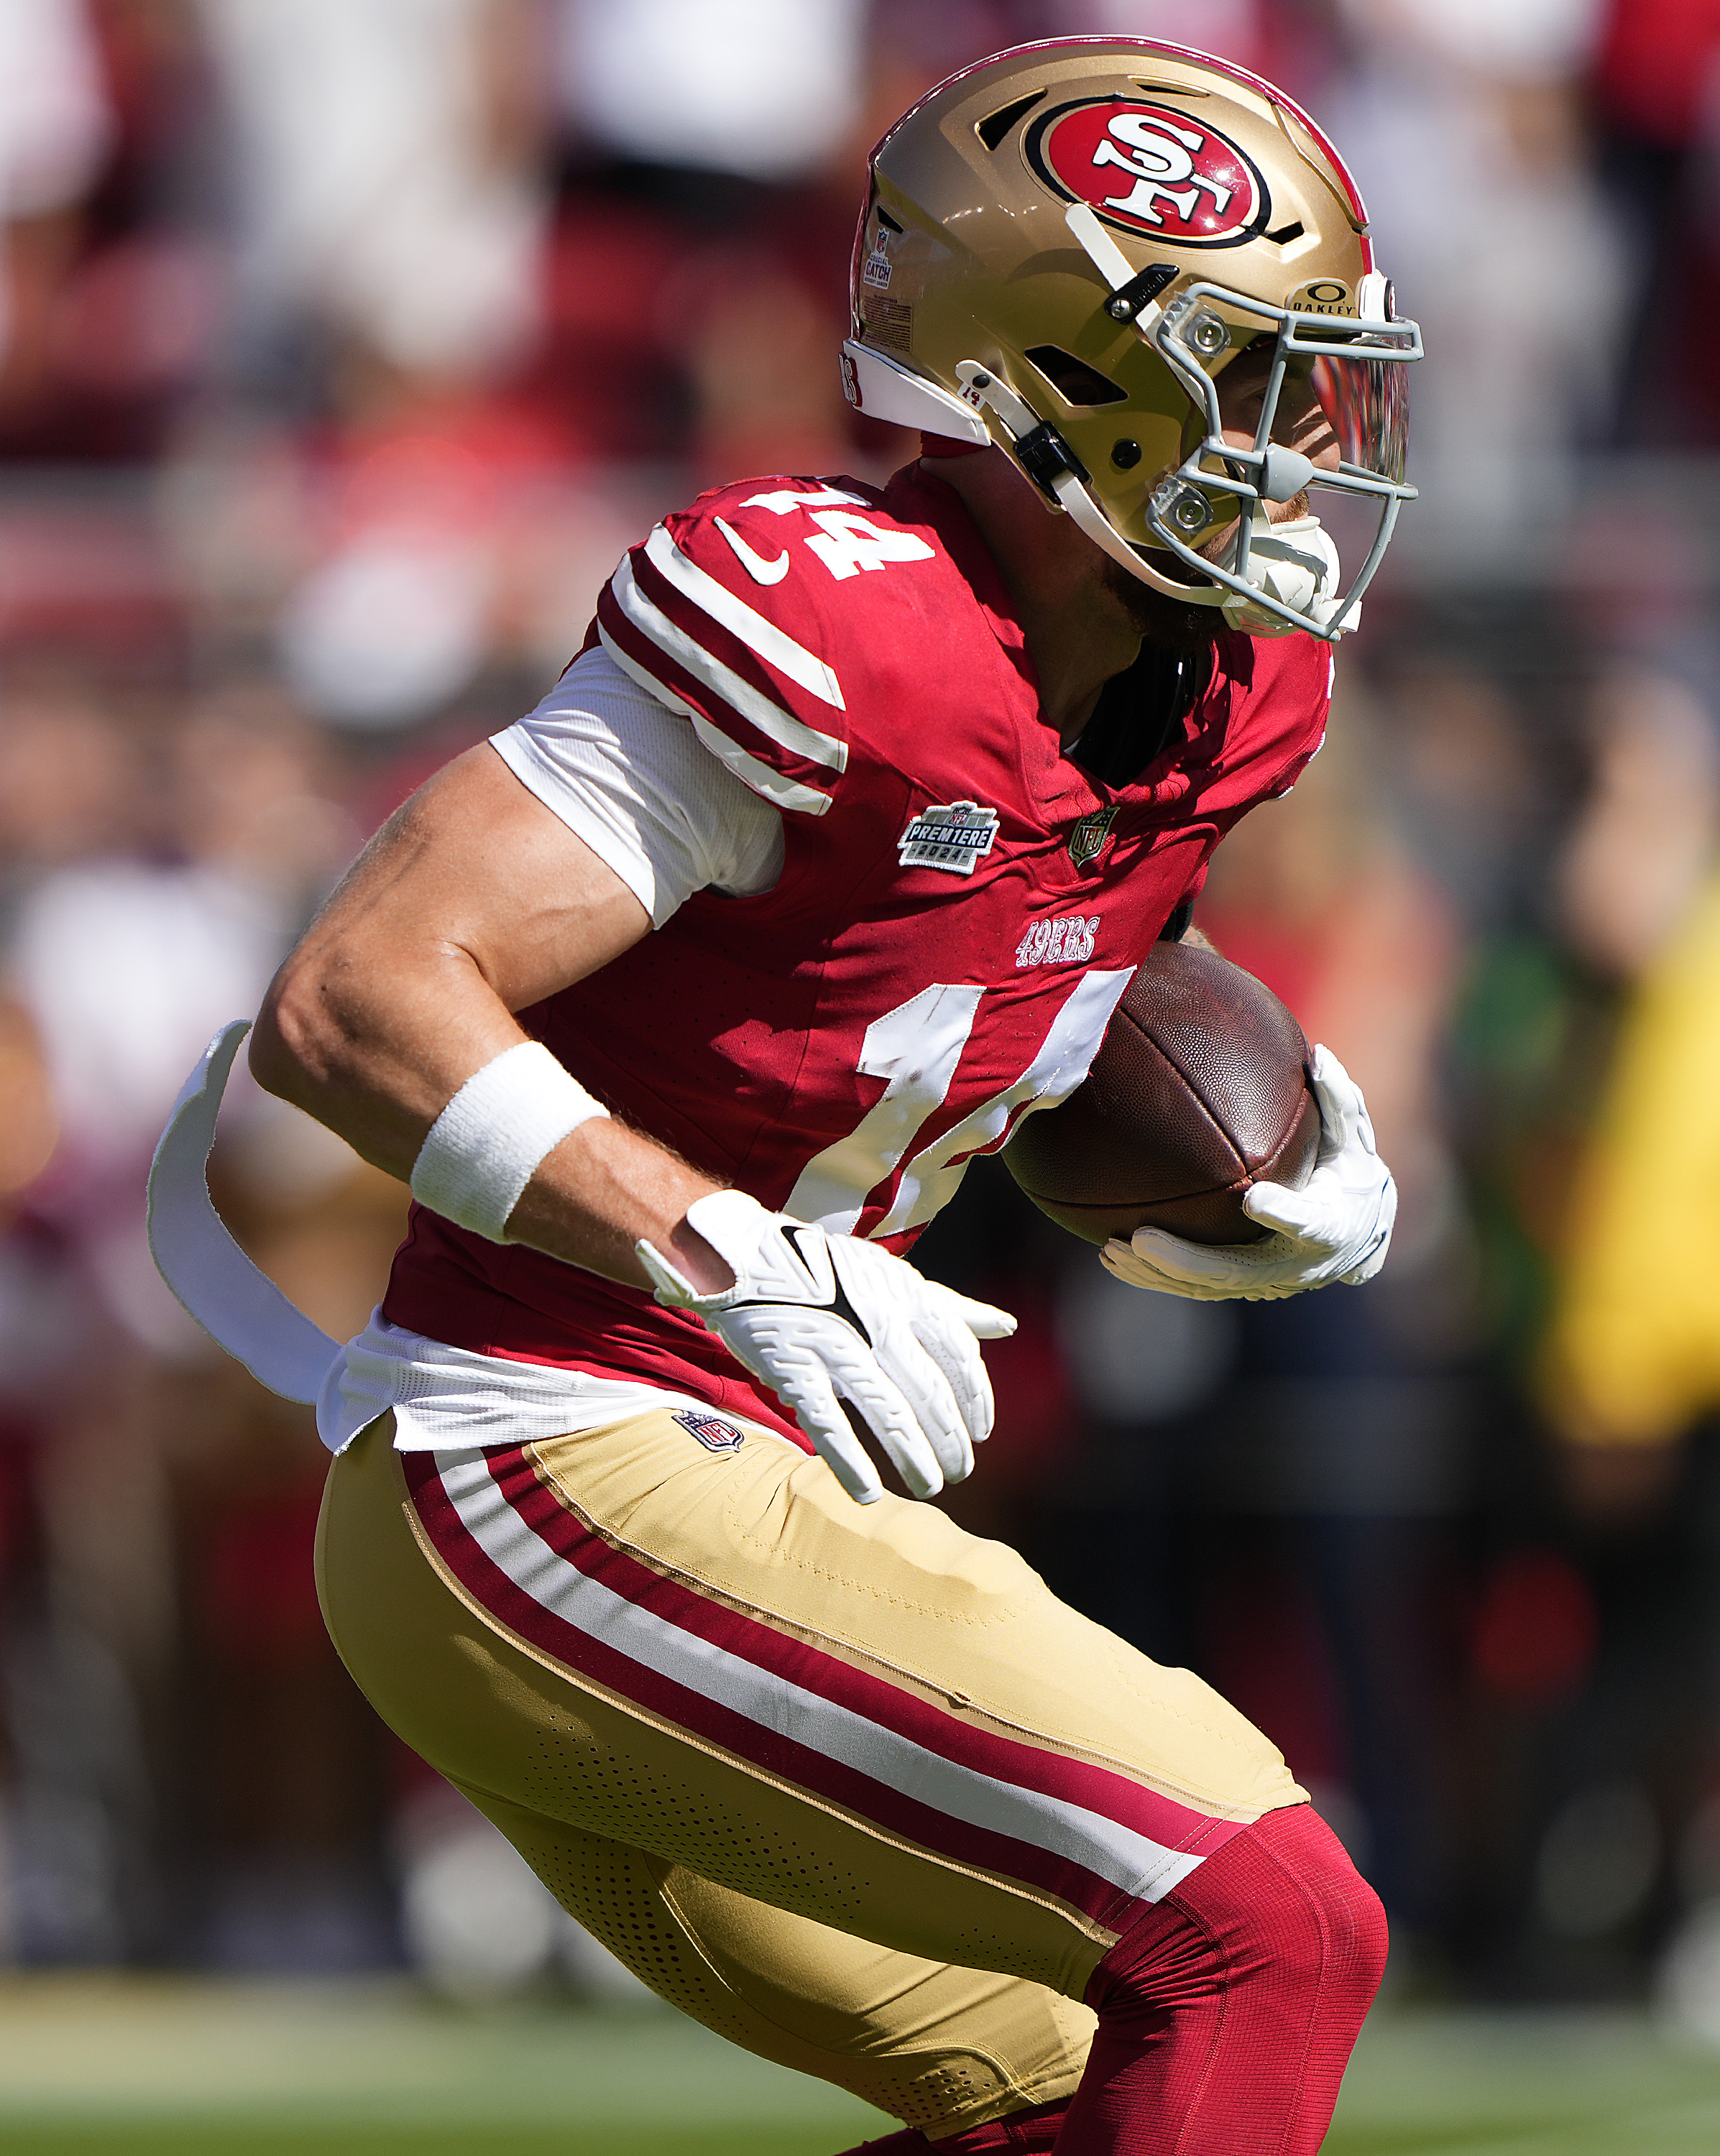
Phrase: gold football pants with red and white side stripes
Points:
(628, 1653)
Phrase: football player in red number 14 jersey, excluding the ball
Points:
(684, 1004)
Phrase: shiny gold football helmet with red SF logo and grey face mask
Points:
(1064, 251)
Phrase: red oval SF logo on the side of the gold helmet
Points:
(1150, 169)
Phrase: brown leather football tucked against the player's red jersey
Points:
(1199, 1090)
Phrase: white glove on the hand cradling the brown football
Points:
(1337, 1228)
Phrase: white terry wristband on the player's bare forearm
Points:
(488, 1142)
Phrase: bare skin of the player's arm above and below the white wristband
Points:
(471, 904)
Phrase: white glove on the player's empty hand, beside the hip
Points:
(831, 1318)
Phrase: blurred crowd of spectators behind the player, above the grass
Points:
(344, 346)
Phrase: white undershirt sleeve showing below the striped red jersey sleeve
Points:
(637, 784)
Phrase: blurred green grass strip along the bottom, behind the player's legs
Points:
(195, 2069)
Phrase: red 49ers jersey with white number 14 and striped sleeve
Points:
(958, 915)
